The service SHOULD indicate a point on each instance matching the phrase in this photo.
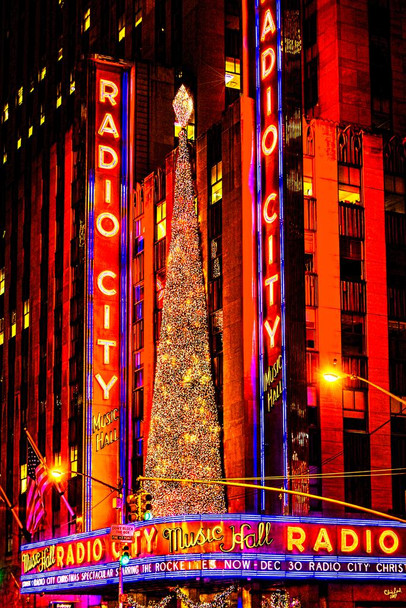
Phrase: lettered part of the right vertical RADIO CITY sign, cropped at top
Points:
(269, 203)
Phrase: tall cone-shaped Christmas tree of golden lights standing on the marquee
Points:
(184, 438)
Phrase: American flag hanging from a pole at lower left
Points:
(37, 483)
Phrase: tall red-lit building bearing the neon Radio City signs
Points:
(297, 154)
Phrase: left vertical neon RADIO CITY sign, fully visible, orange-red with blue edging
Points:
(106, 333)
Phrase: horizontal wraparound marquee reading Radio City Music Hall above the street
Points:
(250, 546)
